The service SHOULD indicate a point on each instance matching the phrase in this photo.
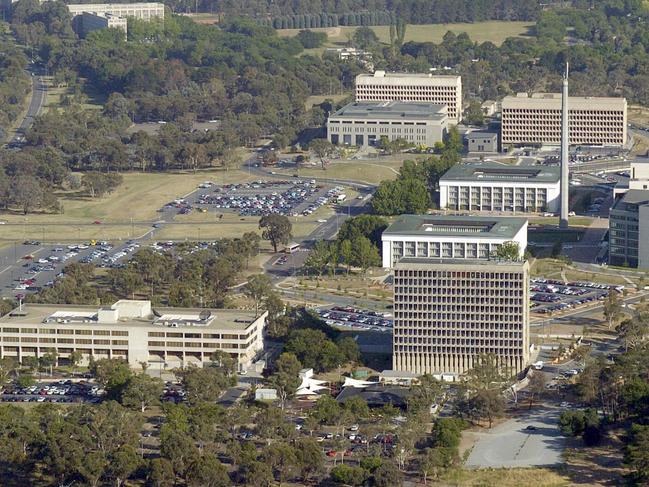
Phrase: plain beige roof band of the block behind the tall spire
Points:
(552, 101)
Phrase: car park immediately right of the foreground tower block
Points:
(551, 295)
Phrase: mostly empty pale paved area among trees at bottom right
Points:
(511, 445)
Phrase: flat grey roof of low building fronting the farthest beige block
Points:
(392, 110)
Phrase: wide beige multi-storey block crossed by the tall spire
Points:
(536, 120)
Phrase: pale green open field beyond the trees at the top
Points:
(494, 31)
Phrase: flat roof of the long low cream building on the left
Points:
(37, 314)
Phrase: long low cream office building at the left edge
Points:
(133, 331)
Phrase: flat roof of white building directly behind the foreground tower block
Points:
(457, 226)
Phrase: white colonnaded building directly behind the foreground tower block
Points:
(450, 237)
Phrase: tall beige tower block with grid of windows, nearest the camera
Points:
(449, 312)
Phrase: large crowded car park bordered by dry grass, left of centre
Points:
(257, 198)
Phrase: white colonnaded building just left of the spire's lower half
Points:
(499, 187)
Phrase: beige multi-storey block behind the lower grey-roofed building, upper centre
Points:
(439, 89)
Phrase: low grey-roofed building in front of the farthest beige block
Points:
(366, 123)
